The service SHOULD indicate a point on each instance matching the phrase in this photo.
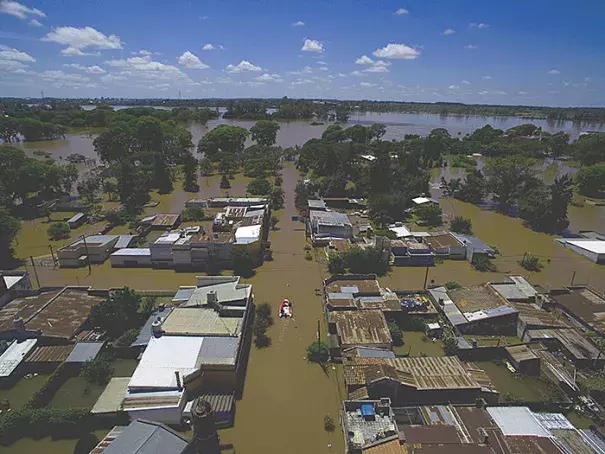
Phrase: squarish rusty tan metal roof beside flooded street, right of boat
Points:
(361, 327)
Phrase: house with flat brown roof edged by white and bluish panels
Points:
(476, 310)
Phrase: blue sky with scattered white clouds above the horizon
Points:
(475, 51)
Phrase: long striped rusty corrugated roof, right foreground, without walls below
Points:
(446, 372)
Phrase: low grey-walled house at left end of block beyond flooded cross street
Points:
(94, 249)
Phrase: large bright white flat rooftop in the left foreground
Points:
(162, 358)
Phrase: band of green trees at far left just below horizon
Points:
(50, 121)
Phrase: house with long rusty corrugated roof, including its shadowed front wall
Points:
(417, 380)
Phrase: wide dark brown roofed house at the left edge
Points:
(55, 316)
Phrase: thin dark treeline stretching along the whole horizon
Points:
(305, 108)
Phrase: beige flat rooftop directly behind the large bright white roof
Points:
(199, 321)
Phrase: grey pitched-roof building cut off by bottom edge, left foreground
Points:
(142, 437)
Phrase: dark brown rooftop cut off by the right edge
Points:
(584, 303)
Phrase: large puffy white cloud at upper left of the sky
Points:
(78, 39)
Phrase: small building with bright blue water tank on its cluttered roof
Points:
(369, 424)
